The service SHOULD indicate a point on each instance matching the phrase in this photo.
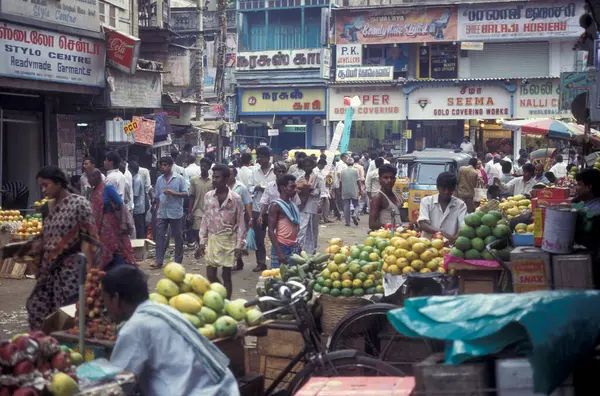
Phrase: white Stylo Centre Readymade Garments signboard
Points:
(30, 53)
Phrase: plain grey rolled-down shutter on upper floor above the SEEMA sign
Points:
(511, 60)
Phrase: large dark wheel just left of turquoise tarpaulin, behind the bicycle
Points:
(368, 330)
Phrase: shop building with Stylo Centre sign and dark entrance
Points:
(49, 64)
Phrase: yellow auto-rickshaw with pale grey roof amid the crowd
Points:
(418, 172)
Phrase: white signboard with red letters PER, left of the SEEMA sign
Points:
(377, 103)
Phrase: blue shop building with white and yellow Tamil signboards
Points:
(281, 71)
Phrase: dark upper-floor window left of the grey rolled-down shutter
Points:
(438, 61)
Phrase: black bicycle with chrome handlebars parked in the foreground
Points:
(317, 360)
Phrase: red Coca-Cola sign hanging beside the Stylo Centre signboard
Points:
(122, 50)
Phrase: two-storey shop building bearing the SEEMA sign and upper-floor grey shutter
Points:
(462, 68)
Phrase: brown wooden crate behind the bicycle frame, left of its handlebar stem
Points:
(276, 351)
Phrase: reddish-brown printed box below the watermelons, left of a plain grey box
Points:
(530, 269)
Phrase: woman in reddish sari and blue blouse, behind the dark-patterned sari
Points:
(112, 223)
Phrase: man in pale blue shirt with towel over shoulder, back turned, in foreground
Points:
(159, 345)
